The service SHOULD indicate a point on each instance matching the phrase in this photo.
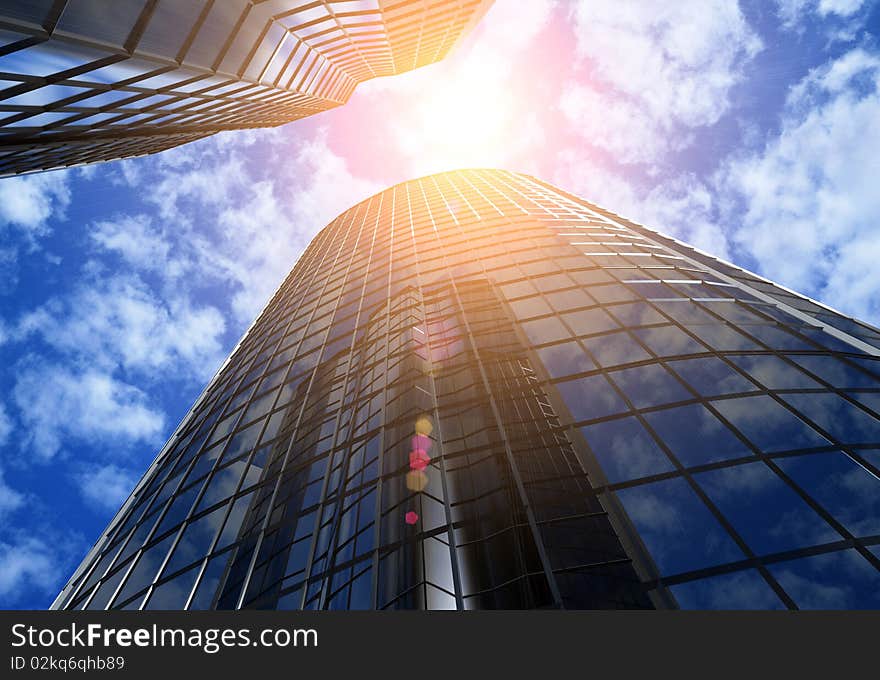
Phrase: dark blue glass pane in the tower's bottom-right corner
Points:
(838, 580)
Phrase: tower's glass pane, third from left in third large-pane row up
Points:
(768, 425)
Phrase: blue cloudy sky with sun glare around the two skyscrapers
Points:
(751, 130)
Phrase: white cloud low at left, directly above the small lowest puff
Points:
(58, 403)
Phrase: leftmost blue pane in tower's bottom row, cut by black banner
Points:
(739, 590)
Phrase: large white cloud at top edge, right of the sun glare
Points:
(654, 71)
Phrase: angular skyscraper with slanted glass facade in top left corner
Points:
(90, 80)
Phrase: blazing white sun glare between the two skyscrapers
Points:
(478, 107)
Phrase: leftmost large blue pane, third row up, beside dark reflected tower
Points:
(625, 450)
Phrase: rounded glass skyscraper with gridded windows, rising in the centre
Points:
(475, 390)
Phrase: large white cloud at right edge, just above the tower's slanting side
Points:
(810, 197)
